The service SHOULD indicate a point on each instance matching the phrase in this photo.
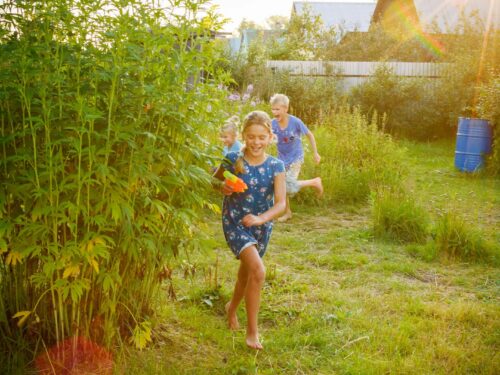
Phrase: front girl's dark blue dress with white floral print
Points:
(258, 198)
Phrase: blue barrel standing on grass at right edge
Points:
(474, 138)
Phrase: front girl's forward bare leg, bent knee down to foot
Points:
(256, 275)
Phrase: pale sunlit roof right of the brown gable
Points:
(446, 13)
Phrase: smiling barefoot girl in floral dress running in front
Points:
(247, 216)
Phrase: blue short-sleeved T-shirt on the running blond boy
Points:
(289, 140)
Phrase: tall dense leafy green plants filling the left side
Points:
(100, 118)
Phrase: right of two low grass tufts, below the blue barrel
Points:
(457, 239)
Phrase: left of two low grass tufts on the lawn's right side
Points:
(397, 216)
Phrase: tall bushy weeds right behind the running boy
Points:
(357, 157)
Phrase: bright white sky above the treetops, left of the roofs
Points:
(257, 10)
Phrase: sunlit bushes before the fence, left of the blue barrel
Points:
(421, 108)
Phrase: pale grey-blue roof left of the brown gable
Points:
(351, 16)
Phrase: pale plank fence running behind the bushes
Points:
(352, 73)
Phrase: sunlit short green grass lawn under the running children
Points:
(337, 301)
